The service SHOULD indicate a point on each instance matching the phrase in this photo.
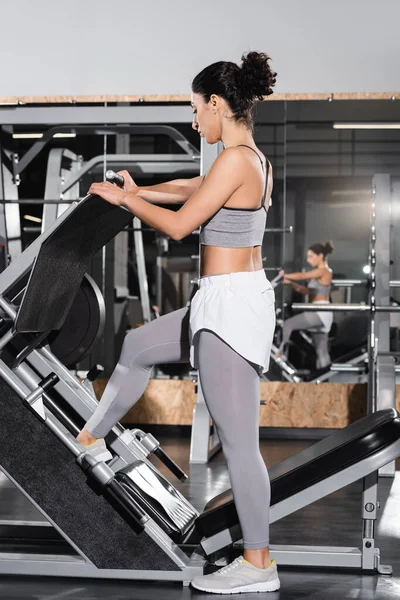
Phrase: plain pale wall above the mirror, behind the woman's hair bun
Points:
(79, 47)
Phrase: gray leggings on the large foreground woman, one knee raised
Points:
(231, 389)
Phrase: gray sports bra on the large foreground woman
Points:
(237, 227)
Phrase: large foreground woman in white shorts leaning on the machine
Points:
(227, 334)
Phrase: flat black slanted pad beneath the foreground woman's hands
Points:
(63, 260)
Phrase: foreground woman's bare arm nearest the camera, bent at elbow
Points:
(224, 178)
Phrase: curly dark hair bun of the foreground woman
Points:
(256, 76)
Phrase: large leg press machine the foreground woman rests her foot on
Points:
(148, 529)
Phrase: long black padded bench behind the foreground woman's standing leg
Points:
(331, 455)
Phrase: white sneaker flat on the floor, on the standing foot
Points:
(240, 576)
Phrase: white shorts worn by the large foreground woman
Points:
(240, 309)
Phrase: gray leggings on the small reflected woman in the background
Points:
(320, 338)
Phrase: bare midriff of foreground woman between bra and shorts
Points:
(219, 261)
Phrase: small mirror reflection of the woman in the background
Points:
(319, 286)
